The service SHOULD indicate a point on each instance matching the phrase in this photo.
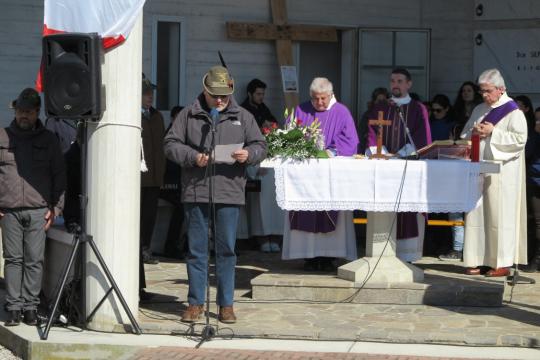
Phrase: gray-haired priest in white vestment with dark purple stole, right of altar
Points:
(496, 230)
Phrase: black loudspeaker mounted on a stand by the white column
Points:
(72, 75)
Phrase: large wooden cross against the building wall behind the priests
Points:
(284, 34)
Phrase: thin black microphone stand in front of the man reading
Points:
(208, 331)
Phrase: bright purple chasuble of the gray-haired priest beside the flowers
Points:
(340, 135)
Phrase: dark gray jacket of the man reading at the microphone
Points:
(191, 134)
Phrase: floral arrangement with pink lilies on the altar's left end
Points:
(296, 140)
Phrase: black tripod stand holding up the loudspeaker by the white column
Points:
(79, 237)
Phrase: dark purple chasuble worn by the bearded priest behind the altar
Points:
(394, 138)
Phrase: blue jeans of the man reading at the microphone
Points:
(196, 215)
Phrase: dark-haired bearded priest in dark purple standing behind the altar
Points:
(404, 112)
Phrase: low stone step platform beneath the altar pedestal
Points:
(439, 288)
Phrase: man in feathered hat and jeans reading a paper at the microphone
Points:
(188, 144)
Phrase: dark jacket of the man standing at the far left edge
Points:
(32, 169)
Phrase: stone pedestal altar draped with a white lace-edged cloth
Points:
(382, 188)
